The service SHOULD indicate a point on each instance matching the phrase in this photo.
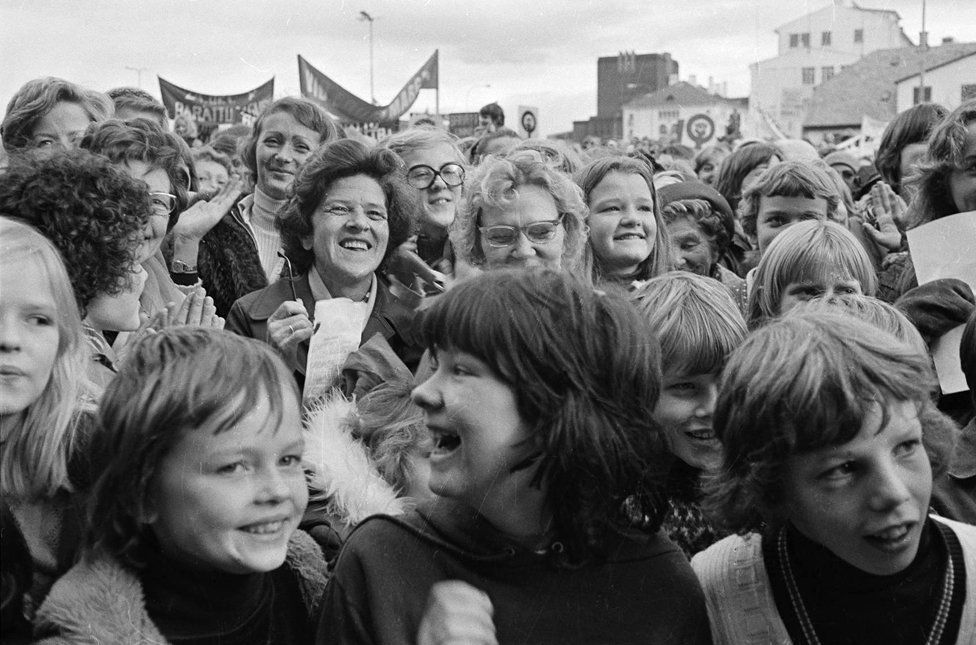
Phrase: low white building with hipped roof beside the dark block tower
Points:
(680, 113)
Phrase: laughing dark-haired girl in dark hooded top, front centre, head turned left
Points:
(547, 464)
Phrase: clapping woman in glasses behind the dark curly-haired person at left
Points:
(148, 154)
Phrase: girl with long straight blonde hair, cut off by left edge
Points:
(45, 405)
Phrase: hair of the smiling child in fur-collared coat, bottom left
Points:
(172, 382)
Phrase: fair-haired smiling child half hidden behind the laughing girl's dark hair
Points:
(698, 325)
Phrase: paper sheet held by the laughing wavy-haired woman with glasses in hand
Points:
(338, 328)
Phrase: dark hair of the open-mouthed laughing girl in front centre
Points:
(585, 371)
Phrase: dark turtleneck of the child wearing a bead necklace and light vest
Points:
(848, 605)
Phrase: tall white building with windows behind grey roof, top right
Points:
(812, 49)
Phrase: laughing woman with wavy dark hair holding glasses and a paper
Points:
(349, 211)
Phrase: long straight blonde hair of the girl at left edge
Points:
(36, 450)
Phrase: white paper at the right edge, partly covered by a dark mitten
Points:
(946, 248)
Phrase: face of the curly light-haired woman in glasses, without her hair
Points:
(533, 204)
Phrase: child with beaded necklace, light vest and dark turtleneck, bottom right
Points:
(831, 441)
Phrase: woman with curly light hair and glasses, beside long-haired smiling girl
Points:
(518, 212)
